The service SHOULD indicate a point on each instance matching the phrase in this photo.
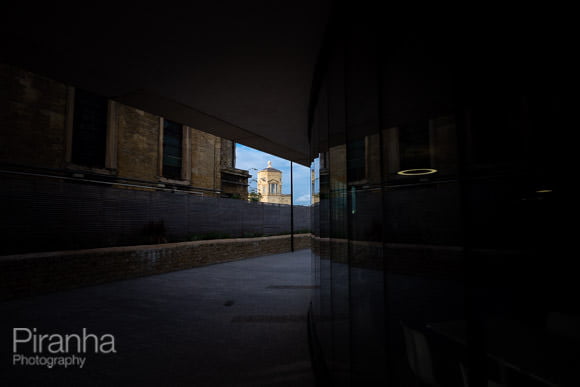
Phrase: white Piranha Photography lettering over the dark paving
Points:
(31, 348)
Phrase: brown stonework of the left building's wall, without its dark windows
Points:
(36, 130)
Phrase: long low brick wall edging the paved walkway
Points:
(30, 274)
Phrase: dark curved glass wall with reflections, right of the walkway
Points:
(437, 256)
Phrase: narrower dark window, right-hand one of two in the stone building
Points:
(172, 150)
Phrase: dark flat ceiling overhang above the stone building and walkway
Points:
(238, 70)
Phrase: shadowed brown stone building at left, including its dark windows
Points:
(55, 130)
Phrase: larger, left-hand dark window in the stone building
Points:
(89, 129)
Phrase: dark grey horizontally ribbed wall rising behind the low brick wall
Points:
(56, 214)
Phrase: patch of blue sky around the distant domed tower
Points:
(254, 160)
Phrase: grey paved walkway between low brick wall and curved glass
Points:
(233, 324)
